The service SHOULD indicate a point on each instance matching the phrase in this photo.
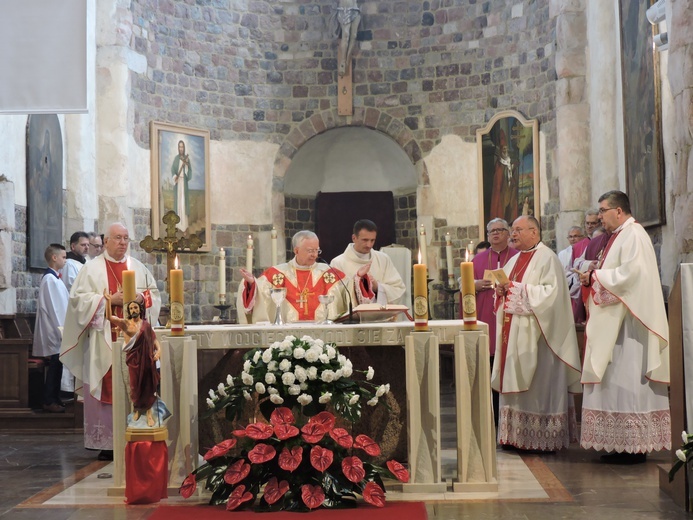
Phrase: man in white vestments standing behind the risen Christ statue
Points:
(88, 340)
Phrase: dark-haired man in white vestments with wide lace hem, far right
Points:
(626, 371)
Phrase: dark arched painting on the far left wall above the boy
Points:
(44, 154)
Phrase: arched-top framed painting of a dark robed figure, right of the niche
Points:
(508, 157)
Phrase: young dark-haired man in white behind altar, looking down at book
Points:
(375, 278)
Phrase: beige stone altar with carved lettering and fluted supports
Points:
(476, 434)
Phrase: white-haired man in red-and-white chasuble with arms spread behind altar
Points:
(304, 280)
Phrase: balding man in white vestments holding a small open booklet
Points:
(537, 363)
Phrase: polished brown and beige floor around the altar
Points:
(53, 477)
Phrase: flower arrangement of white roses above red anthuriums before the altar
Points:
(298, 462)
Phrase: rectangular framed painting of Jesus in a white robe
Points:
(180, 180)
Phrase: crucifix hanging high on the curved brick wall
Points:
(348, 17)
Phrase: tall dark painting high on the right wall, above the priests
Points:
(642, 111)
